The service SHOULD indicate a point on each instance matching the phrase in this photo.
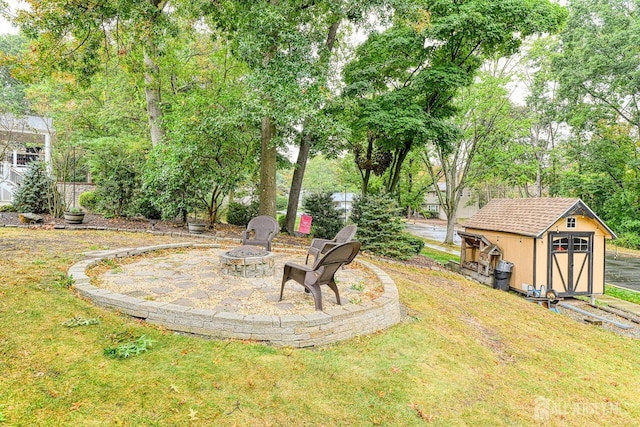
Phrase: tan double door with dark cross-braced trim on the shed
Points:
(570, 263)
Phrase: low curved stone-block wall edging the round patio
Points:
(312, 329)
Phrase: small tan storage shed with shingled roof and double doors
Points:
(556, 242)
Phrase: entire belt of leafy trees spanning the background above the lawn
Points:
(222, 89)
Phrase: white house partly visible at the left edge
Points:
(22, 141)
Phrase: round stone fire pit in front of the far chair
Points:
(248, 261)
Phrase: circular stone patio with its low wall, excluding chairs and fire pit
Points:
(184, 290)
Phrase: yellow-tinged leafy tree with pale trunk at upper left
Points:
(74, 42)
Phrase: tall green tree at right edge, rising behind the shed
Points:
(597, 69)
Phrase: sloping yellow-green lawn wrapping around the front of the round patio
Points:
(465, 355)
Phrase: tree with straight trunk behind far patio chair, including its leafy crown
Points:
(281, 42)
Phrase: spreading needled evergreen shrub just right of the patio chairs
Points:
(380, 228)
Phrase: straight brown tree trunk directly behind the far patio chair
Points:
(268, 161)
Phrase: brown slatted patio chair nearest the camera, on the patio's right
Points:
(322, 272)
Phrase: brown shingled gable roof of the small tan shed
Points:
(530, 216)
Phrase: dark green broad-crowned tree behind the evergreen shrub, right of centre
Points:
(403, 81)
